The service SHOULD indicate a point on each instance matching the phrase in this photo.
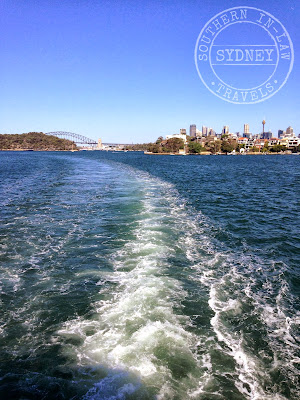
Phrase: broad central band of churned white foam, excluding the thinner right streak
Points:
(135, 329)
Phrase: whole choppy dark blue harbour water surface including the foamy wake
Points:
(125, 276)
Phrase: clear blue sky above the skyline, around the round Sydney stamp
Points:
(124, 70)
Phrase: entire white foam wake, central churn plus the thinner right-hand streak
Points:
(136, 322)
